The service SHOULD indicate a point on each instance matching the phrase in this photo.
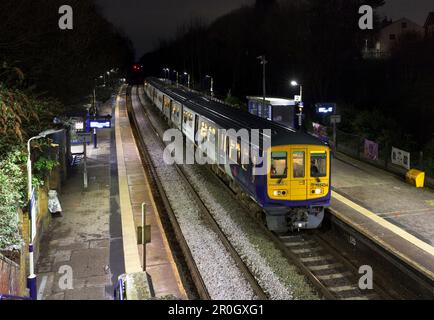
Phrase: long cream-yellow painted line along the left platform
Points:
(129, 238)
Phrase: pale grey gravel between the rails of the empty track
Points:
(222, 277)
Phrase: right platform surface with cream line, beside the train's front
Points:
(383, 207)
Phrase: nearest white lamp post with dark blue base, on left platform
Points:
(31, 279)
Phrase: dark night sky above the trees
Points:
(146, 21)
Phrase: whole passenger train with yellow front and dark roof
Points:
(292, 192)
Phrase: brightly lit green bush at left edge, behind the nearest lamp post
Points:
(12, 197)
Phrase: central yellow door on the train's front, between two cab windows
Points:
(299, 185)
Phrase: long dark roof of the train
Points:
(231, 118)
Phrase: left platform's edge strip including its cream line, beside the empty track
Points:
(134, 189)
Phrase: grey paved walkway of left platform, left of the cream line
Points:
(85, 243)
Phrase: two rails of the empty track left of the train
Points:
(205, 213)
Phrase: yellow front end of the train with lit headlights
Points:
(298, 184)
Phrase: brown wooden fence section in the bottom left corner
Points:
(9, 276)
